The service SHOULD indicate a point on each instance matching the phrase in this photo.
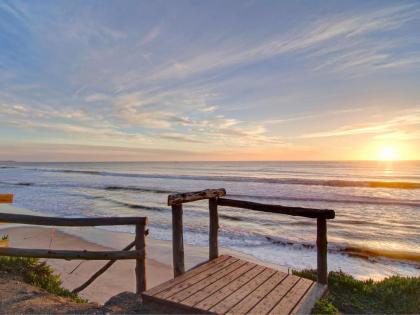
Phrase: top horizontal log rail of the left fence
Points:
(39, 220)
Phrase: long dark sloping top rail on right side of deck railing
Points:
(295, 211)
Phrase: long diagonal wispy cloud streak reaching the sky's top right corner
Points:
(340, 28)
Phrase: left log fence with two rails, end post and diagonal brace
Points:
(139, 254)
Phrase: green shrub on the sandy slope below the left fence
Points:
(37, 273)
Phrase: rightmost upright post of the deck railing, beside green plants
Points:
(321, 243)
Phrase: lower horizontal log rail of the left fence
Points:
(70, 254)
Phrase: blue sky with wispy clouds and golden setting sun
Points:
(209, 80)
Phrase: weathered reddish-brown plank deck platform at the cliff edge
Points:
(228, 285)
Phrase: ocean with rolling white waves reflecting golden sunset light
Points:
(376, 232)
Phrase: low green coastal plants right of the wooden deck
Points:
(392, 295)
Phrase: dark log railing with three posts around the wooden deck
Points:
(215, 200)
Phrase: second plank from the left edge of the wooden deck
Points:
(193, 280)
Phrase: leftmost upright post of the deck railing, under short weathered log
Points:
(177, 240)
